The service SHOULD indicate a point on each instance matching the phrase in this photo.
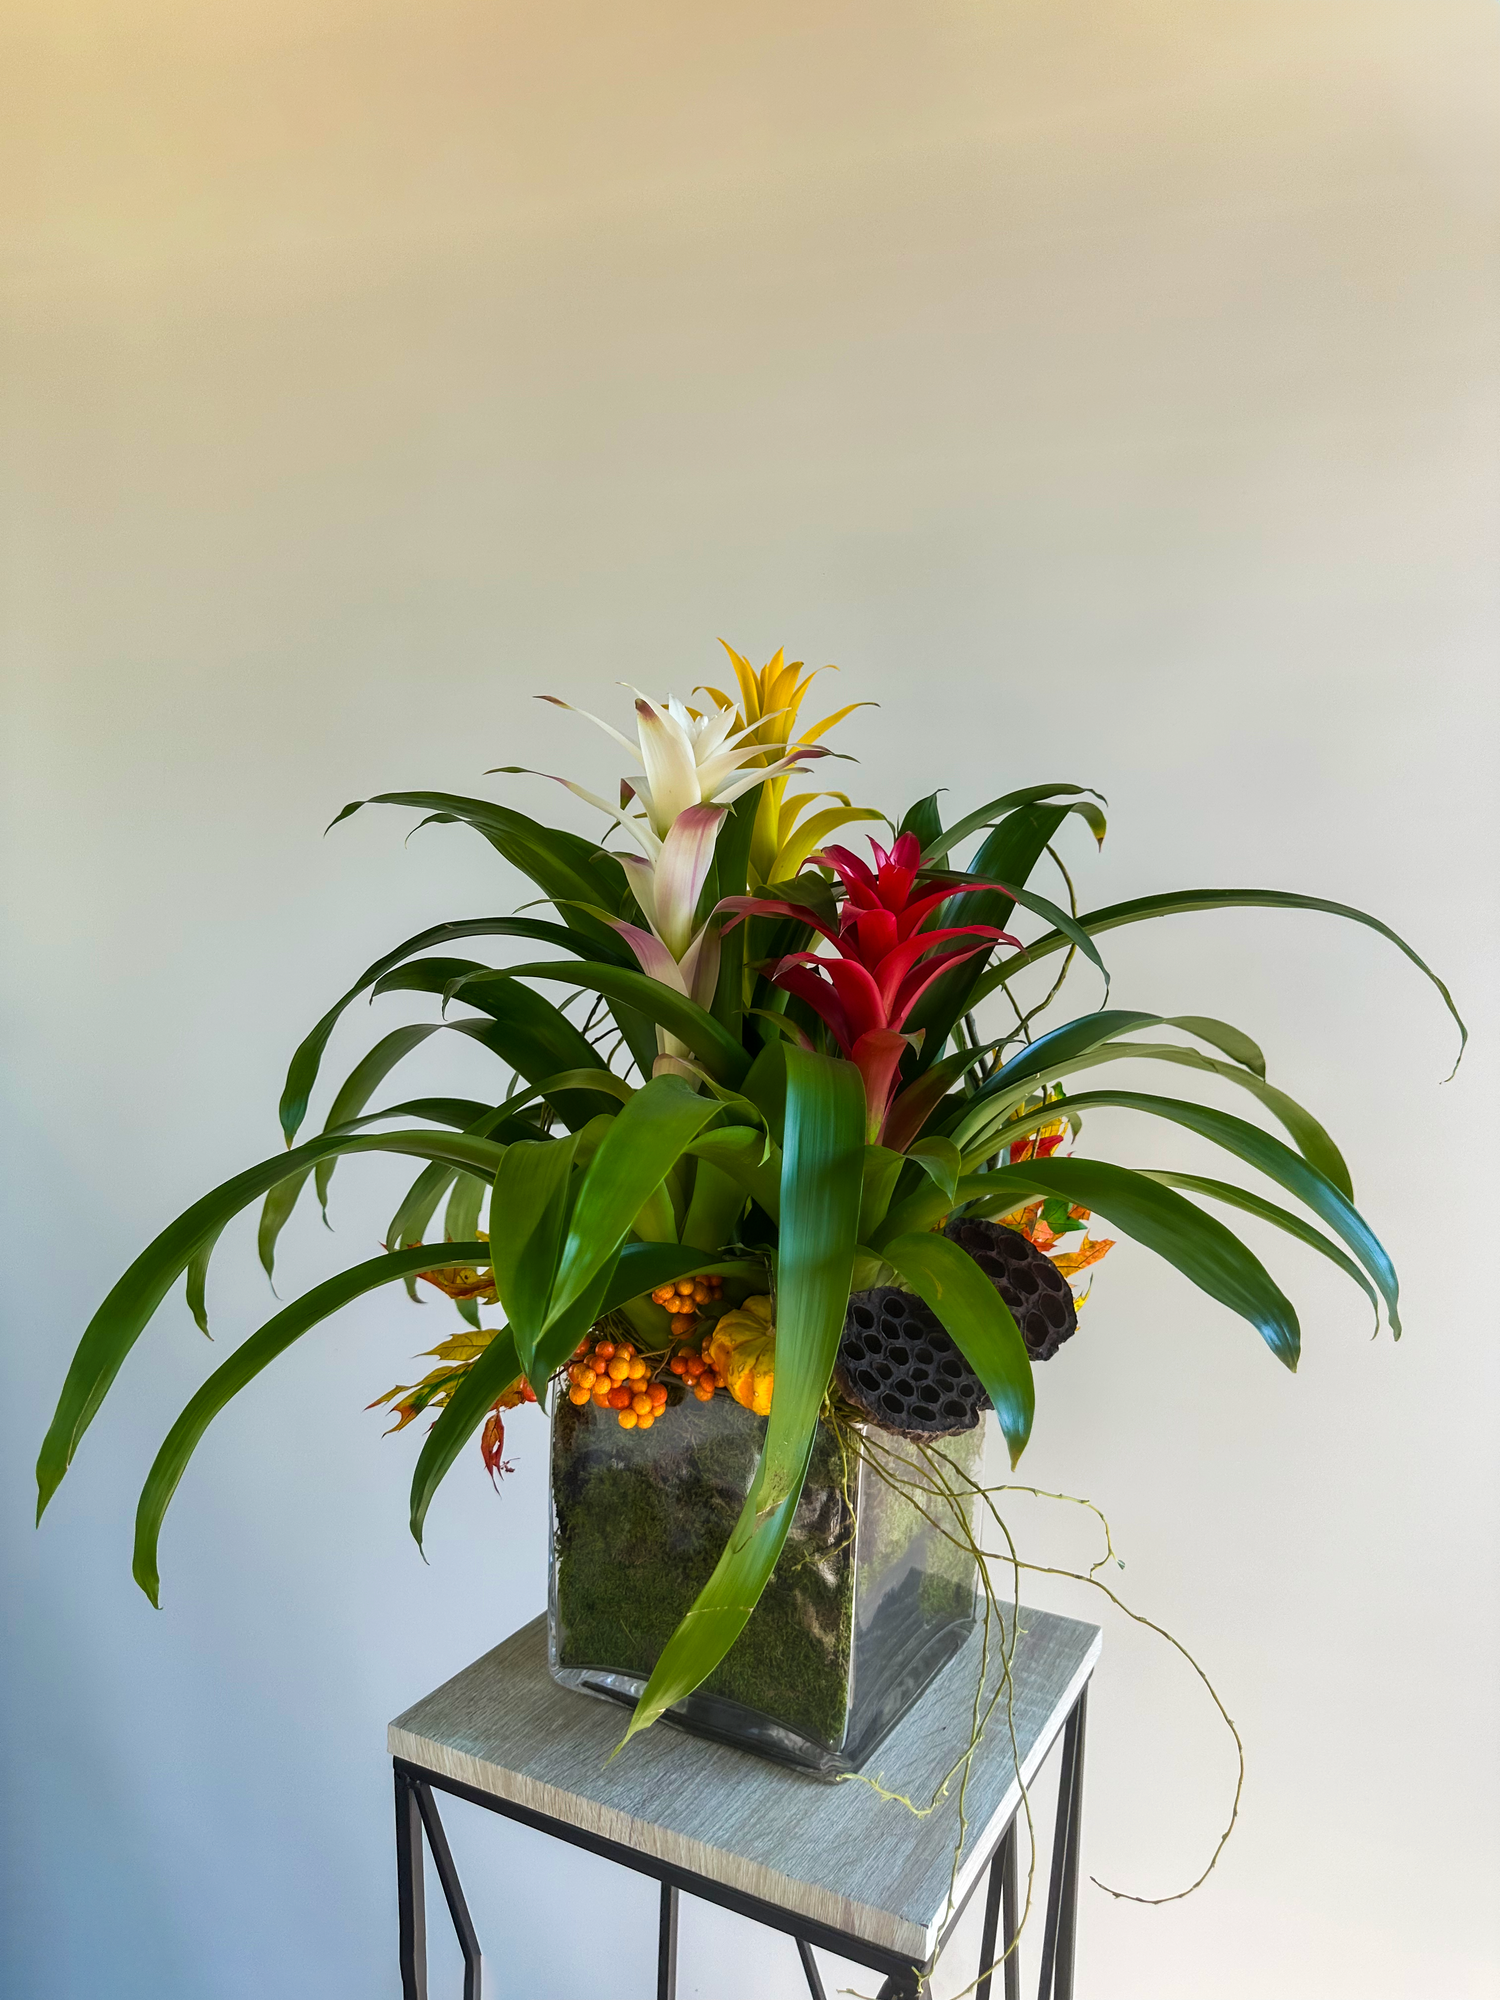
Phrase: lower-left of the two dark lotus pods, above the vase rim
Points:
(899, 1367)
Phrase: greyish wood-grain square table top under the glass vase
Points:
(835, 1853)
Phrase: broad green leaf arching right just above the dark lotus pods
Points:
(1163, 1221)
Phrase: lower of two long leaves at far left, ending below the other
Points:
(247, 1363)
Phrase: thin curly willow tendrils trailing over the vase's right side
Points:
(945, 1497)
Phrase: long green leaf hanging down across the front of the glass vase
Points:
(823, 1169)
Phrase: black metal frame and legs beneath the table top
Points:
(417, 1817)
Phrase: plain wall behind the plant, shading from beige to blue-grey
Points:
(1111, 389)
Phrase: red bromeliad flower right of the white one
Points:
(885, 959)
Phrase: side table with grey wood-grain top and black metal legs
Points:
(835, 1867)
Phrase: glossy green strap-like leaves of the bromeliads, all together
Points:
(637, 1137)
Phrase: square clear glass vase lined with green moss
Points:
(867, 1605)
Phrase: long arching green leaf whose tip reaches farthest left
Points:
(141, 1291)
